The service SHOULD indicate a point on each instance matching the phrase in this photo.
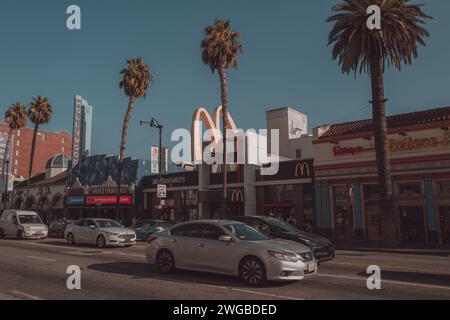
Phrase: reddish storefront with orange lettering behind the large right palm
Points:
(346, 190)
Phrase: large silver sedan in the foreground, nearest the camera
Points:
(232, 248)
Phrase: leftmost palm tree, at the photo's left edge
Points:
(15, 118)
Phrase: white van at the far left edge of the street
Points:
(22, 224)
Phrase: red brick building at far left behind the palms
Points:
(48, 144)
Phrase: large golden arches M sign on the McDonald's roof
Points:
(211, 124)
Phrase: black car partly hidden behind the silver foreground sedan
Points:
(321, 247)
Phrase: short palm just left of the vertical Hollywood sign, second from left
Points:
(40, 112)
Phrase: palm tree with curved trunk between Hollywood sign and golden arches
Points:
(135, 81)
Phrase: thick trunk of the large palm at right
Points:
(388, 221)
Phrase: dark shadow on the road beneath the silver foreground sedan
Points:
(147, 271)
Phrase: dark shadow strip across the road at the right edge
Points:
(415, 277)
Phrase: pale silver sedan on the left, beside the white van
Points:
(99, 232)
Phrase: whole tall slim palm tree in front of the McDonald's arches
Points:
(220, 49)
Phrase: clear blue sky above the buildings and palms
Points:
(286, 63)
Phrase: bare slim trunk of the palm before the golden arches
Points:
(224, 97)
